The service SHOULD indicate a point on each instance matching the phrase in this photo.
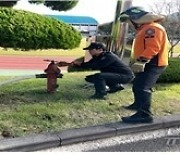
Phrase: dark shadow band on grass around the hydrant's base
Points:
(77, 94)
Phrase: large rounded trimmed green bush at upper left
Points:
(21, 29)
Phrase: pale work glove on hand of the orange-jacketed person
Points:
(139, 65)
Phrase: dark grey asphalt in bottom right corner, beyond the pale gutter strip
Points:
(151, 145)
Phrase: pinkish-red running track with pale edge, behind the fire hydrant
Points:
(20, 65)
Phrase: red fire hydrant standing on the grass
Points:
(53, 72)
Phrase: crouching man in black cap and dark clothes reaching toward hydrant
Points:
(113, 72)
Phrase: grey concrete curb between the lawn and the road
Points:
(50, 140)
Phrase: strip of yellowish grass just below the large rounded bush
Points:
(48, 52)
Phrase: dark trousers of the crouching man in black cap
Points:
(100, 80)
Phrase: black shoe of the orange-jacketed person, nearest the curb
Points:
(139, 117)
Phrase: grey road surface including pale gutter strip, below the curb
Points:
(167, 140)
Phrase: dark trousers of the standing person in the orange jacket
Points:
(143, 84)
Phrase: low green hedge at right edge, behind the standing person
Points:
(172, 73)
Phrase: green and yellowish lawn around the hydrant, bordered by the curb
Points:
(26, 108)
